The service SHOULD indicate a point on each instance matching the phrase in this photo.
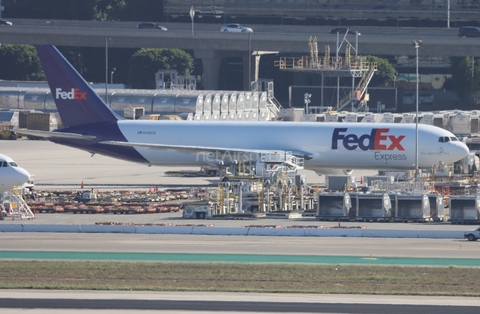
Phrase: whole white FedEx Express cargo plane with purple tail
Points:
(327, 148)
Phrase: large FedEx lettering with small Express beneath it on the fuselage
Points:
(378, 140)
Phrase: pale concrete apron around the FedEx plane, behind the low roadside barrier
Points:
(58, 167)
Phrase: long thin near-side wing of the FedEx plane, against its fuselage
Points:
(207, 150)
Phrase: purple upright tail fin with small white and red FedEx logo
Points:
(77, 103)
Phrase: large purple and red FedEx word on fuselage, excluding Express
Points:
(378, 139)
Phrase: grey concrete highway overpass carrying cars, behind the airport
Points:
(210, 45)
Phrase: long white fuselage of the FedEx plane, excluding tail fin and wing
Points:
(324, 145)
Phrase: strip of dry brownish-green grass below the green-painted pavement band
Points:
(272, 278)
